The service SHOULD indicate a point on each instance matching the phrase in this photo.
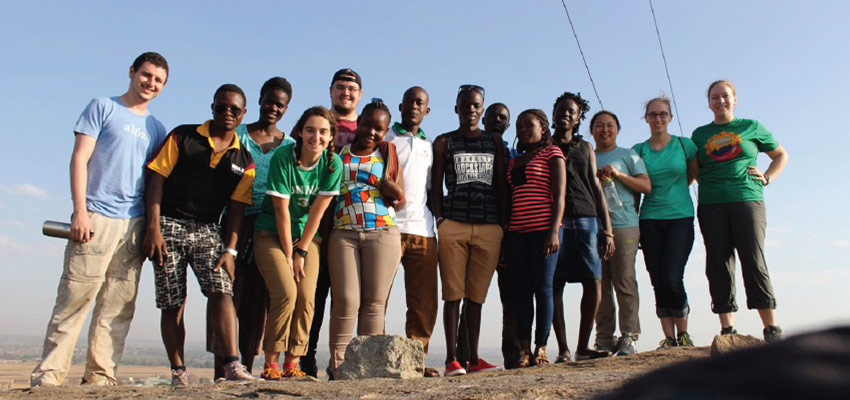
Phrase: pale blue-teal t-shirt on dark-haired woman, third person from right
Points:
(626, 161)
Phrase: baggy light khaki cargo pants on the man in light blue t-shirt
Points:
(104, 271)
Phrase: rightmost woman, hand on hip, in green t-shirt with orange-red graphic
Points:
(731, 209)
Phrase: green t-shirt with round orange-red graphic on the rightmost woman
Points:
(725, 152)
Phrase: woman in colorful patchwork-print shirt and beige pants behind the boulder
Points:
(365, 245)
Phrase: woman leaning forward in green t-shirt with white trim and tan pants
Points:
(303, 179)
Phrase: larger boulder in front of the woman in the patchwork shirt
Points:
(382, 356)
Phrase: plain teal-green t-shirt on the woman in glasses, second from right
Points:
(668, 171)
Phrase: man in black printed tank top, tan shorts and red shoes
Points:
(468, 221)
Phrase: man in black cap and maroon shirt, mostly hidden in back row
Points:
(346, 90)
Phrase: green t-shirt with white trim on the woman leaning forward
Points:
(298, 184)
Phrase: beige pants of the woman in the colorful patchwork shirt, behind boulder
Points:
(362, 267)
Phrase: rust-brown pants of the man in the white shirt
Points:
(419, 259)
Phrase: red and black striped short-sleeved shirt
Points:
(531, 193)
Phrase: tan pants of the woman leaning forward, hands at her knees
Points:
(290, 303)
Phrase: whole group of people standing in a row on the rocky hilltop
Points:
(272, 224)
